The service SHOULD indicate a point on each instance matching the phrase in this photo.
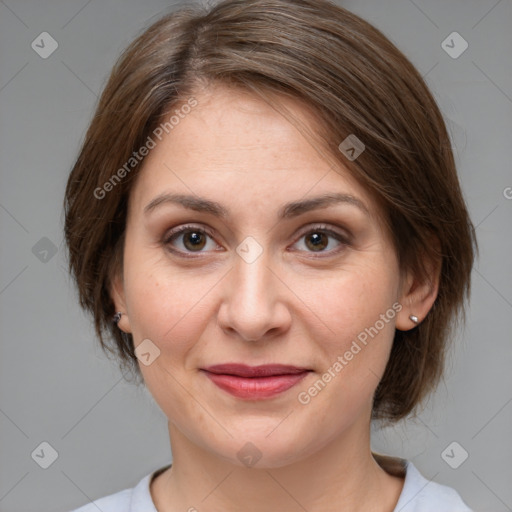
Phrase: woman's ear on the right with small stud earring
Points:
(419, 294)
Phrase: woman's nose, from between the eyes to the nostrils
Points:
(255, 301)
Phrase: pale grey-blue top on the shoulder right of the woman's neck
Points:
(422, 495)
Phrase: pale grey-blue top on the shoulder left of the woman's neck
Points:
(135, 499)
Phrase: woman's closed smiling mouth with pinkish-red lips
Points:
(255, 382)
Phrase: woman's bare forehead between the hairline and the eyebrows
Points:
(234, 147)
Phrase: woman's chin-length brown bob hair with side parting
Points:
(356, 82)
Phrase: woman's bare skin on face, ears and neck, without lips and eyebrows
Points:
(292, 305)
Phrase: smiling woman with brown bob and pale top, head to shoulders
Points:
(266, 218)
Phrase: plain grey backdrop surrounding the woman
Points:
(56, 385)
